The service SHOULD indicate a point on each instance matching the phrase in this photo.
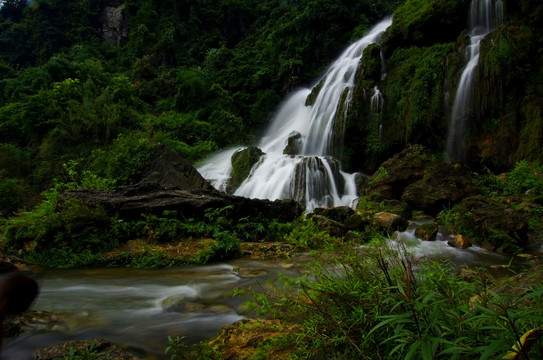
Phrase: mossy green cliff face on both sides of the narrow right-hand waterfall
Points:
(423, 67)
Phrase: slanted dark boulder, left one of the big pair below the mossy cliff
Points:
(395, 174)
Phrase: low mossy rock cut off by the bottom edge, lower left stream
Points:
(102, 349)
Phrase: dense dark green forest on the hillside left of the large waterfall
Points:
(196, 76)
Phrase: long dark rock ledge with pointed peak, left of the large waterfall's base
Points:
(172, 183)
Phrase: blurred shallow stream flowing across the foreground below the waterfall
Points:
(141, 308)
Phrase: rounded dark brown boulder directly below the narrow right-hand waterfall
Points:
(444, 185)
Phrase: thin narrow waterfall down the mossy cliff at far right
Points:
(485, 16)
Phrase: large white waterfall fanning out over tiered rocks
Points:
(310, 174)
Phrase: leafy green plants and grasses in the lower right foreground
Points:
(379, 303)
